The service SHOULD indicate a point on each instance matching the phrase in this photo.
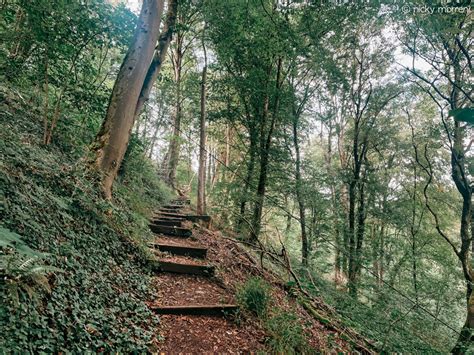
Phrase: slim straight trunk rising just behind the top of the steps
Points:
(201, 196)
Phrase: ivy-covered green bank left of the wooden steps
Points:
(73, 266)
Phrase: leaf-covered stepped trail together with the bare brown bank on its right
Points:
(199, 272)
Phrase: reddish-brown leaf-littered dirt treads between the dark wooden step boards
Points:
(196, 333)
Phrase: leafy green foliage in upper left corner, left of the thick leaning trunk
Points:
(60, 54)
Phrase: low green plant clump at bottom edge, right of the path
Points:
(287, 335)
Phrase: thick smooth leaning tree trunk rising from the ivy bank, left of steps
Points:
(112, 140)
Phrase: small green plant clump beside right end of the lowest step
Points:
(254, 296)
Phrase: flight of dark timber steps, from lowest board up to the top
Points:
(184, 260)
